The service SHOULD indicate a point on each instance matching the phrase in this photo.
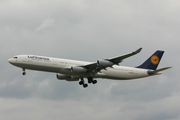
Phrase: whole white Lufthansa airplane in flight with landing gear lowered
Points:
(73, 70)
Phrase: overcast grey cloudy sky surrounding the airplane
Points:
(89, 30)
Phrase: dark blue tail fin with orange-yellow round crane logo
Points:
(153, 61)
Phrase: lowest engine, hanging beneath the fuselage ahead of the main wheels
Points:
(67, 78)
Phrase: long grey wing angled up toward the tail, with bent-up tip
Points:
(103, 64)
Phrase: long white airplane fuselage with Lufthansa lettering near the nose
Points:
(56, 65)
